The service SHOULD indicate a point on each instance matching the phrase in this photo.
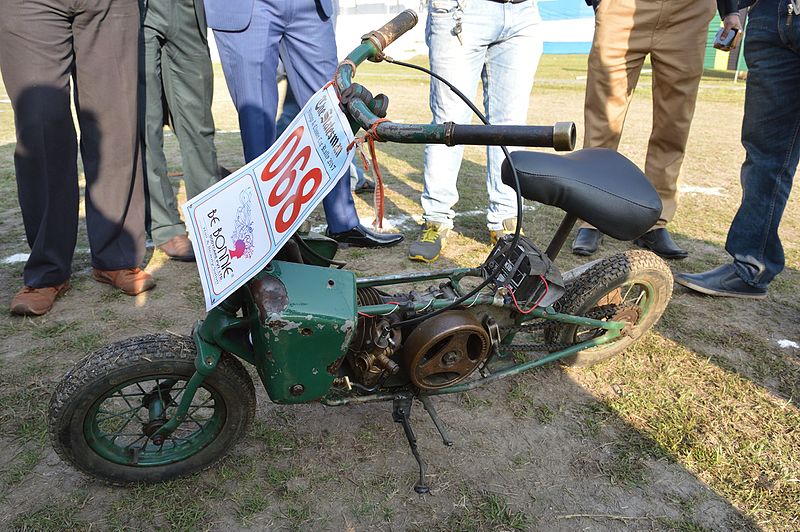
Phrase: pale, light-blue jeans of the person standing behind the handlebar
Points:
(500, 46)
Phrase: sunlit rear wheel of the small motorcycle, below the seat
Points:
(633, 287)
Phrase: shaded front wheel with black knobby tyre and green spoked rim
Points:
(105, 412)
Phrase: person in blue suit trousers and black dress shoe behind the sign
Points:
(250, 35)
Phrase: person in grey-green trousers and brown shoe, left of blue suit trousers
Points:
(177, 65)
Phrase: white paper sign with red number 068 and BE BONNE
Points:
(239, 224)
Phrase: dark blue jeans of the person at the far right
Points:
(770, 138)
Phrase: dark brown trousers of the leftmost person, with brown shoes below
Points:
(48, 47)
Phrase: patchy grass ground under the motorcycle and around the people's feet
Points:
(696, 428)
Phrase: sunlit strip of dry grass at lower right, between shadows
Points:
(734, 435)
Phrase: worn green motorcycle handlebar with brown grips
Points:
(560, 136)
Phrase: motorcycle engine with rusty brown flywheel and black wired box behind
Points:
(447, 348)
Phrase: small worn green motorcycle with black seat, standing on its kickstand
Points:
(157, 407)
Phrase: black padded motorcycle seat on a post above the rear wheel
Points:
(597, 185)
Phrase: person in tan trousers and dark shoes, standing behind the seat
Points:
(673, 33)
